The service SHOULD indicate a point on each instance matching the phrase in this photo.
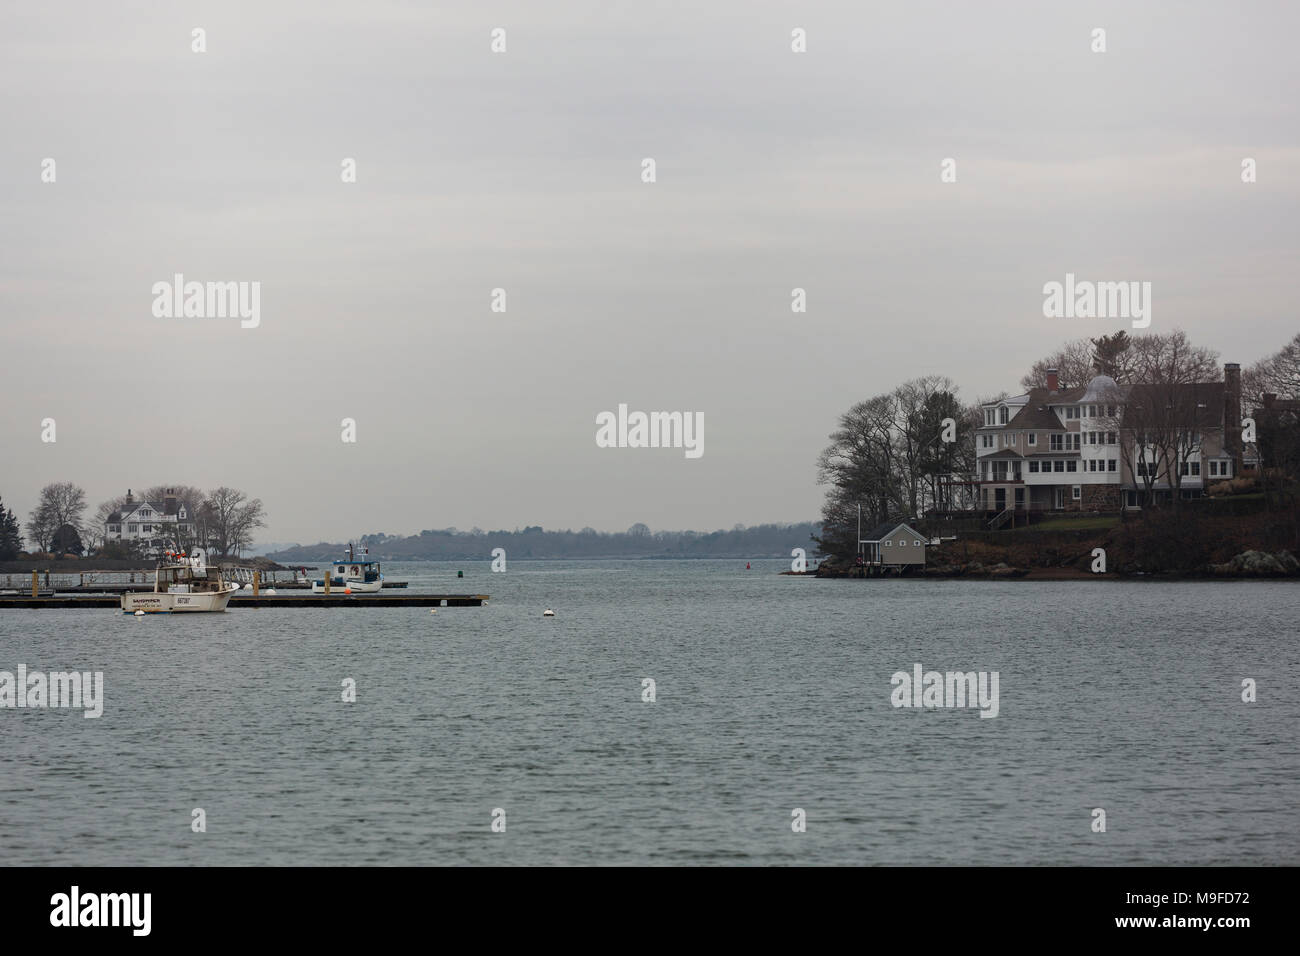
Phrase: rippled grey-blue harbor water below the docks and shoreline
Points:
(773, 694)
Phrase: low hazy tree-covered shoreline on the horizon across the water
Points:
(638, 542)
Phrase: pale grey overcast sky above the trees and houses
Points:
(523, 171)
